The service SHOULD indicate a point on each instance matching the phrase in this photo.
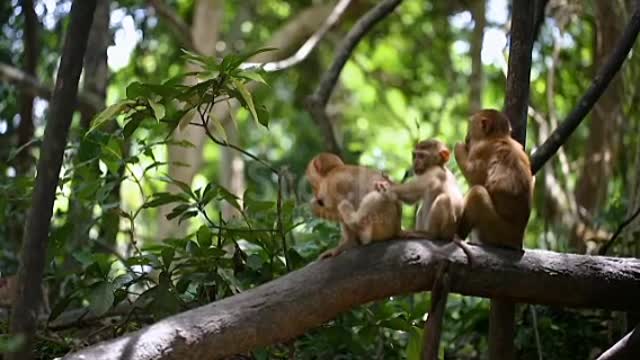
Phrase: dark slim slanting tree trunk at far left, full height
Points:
(34, 244)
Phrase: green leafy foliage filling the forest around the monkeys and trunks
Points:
(386, 101)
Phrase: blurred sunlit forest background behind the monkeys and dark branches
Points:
(418, 74)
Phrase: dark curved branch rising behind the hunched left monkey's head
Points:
(317, 102)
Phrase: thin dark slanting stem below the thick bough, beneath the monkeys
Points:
(433, 325)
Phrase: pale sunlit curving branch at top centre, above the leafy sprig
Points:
(306, 49)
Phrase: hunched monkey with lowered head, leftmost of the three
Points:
(339, 189)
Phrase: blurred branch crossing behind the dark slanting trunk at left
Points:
(11, 75)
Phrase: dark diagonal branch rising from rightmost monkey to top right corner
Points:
(600, 83)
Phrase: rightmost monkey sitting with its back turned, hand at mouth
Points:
(498, 204)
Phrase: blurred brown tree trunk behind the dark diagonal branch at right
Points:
(606, 122)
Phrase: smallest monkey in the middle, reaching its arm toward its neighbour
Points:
(436, 186)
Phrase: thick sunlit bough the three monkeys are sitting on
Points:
(287, 307)
